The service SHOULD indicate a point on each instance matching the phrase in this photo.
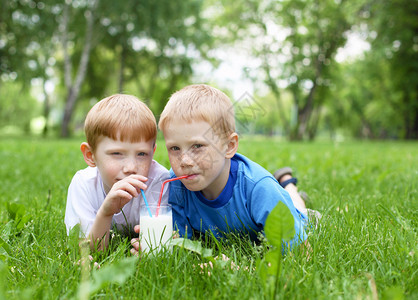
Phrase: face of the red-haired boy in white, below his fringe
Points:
(116, 159)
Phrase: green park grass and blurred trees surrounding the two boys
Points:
(58, 58)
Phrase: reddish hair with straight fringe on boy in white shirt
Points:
(120, 117)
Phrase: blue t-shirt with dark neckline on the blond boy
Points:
(242, 207)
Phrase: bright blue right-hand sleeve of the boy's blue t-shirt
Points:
(264, 197)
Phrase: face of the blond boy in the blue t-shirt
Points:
(194, 149)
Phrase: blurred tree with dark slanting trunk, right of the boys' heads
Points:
(304, 38)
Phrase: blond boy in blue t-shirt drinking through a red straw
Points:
(224, 191)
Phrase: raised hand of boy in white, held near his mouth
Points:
(121, 193)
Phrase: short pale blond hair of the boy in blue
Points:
(200, 102)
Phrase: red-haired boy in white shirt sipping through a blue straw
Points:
(121, 134)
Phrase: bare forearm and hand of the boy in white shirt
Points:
(120, 194)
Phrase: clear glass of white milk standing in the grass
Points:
(155, 232)
